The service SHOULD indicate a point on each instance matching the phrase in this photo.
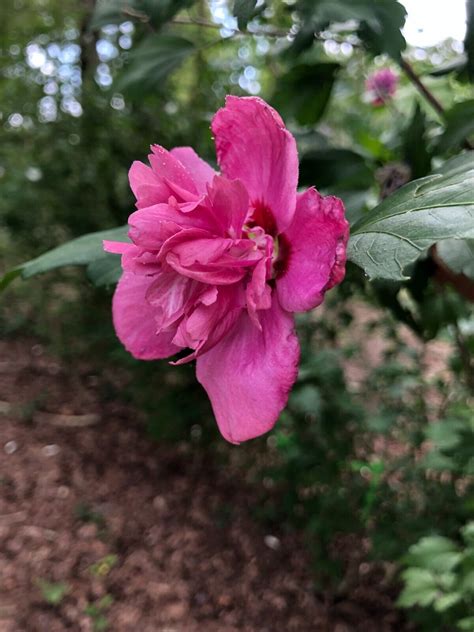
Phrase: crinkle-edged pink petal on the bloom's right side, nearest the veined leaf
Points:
(314, 247)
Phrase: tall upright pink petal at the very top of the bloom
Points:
(254, 146)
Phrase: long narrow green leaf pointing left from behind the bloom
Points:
(85, 250)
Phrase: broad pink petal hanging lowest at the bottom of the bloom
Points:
(249, 374)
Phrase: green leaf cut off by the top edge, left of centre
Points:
(154, 12)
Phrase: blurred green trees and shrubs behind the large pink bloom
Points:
(381, 448)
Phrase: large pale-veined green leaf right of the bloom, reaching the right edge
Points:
(394, 234)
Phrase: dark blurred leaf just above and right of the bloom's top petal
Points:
(310, 86)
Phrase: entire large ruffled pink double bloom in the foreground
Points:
(219, 262)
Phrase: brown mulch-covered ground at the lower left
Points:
(88, 501)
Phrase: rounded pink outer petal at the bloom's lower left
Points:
(134, 320)
